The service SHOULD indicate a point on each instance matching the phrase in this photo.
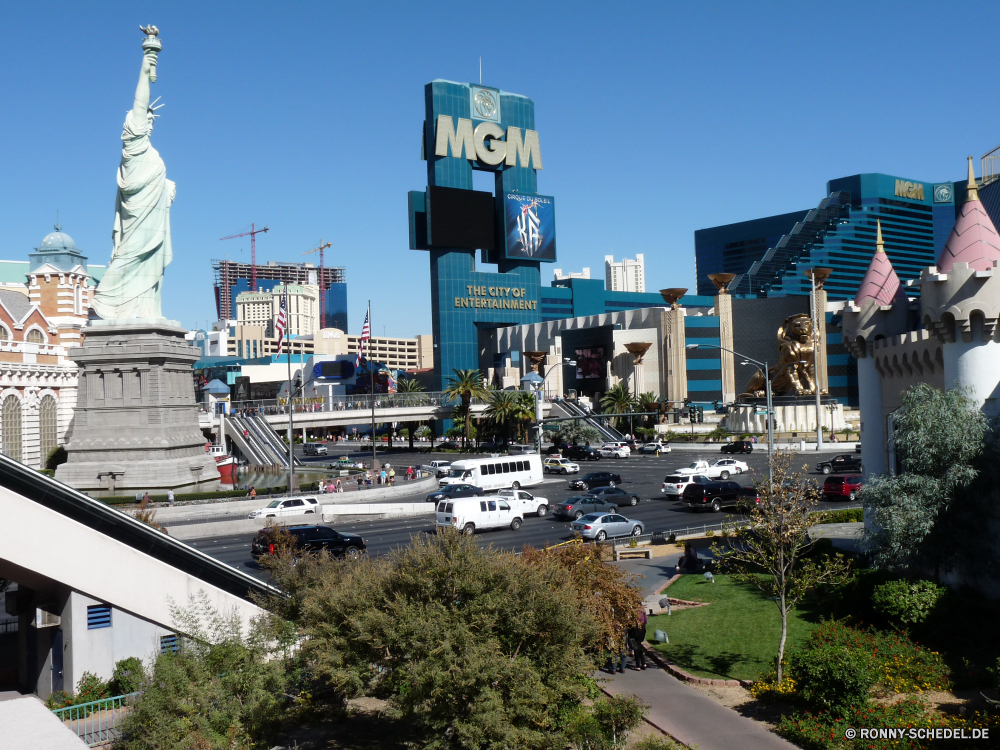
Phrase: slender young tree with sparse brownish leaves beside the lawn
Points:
(771, 551)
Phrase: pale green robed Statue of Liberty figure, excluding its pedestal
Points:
(141, 235)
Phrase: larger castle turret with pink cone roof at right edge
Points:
(960, 302)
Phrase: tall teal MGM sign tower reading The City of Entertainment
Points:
(477, 127)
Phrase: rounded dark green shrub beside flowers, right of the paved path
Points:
(834, 677)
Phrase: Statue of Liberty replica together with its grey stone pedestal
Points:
(135, 426)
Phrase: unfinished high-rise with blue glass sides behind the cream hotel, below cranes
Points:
(231, 278)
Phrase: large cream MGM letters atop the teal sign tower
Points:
(514, 151)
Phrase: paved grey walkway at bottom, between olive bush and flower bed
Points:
(689, 716)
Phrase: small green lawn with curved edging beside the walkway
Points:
(735, 637)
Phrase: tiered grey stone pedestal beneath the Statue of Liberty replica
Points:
(135, 425)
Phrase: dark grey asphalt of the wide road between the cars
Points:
(642, 475)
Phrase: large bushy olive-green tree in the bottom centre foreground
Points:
(474, 647)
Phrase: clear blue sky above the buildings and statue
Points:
(655, 120)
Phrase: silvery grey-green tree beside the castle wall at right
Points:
(931, 514)
